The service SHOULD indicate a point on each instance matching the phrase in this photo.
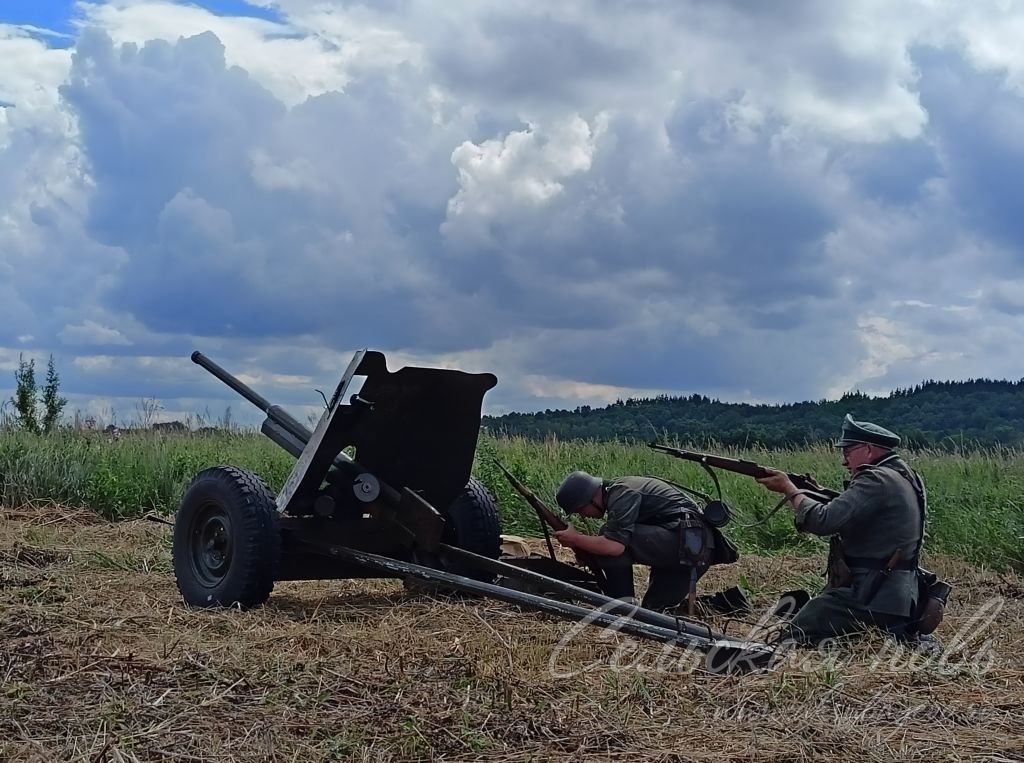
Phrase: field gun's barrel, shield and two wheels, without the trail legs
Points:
(414, 434)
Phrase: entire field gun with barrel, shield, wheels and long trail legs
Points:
(382, 488)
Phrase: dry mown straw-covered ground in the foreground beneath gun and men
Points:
(102, 662)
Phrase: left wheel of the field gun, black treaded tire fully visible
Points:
(227, 542)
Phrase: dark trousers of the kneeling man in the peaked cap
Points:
(838, 613)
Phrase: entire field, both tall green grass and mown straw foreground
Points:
(102, 662)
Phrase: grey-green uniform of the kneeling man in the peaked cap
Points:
(878, 514)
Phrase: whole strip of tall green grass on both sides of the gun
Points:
(976, 499)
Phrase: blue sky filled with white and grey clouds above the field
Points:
(758, 202)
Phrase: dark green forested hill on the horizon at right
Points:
(947, 415)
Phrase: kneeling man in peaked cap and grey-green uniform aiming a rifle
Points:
(879, 521)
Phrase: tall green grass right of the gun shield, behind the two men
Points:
(976, 499)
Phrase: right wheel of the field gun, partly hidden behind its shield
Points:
(472, 524)
